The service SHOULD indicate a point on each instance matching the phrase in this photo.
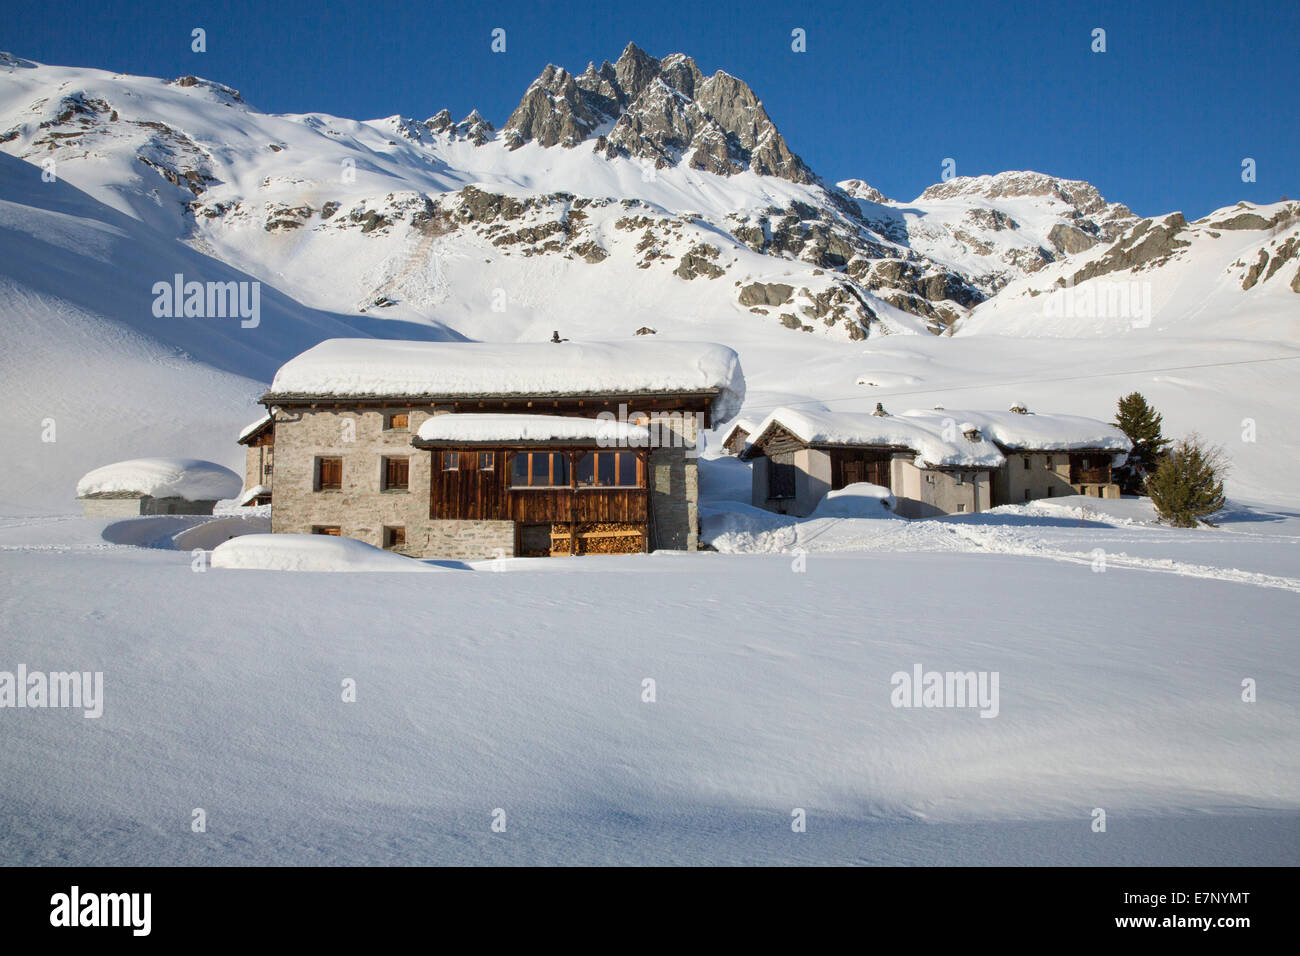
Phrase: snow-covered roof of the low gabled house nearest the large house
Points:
(934, 444)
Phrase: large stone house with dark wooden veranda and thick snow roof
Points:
(479, 451)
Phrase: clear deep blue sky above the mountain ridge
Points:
(1160, 122)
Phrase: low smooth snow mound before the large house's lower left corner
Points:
(309, 553)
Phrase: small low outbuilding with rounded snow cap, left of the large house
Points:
(155, 487)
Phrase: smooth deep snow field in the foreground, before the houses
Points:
(518, 686)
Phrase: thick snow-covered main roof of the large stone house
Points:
(370, 367)
